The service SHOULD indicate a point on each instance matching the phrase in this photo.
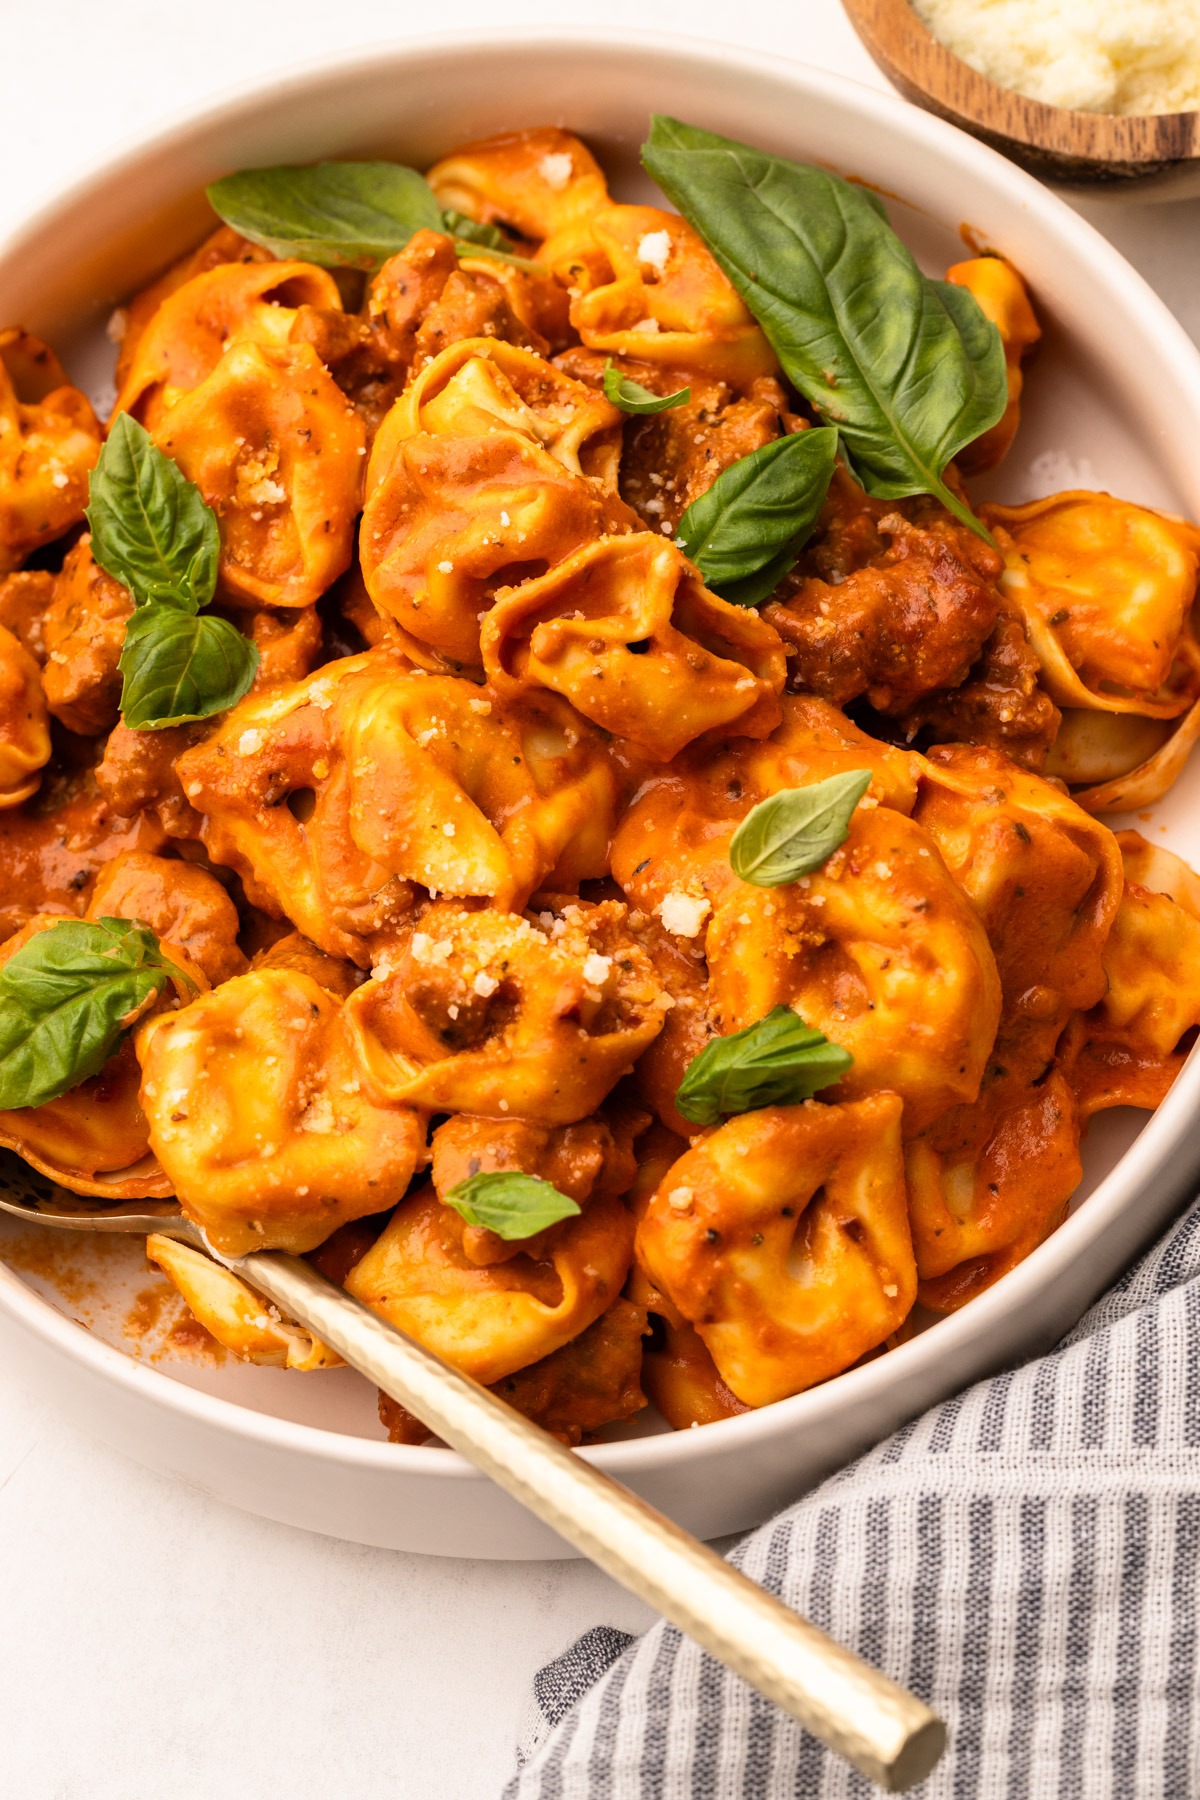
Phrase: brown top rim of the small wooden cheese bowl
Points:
(963, 93)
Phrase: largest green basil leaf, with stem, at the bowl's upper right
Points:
(908, 370)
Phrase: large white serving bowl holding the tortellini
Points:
(1115, 402)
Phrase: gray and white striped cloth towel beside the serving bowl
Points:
(1025, 1558)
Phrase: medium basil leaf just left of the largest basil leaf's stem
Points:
(753, 523)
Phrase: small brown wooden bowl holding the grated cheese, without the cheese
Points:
(1151, 157)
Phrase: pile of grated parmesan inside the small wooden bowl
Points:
(1111, 57)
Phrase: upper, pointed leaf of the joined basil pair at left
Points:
(150, 526)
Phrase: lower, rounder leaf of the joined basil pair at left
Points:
(179, 667)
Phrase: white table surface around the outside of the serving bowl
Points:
(154, 1642)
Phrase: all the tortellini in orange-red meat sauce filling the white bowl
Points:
(458, 886)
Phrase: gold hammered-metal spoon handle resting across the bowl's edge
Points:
(886, 1732)
